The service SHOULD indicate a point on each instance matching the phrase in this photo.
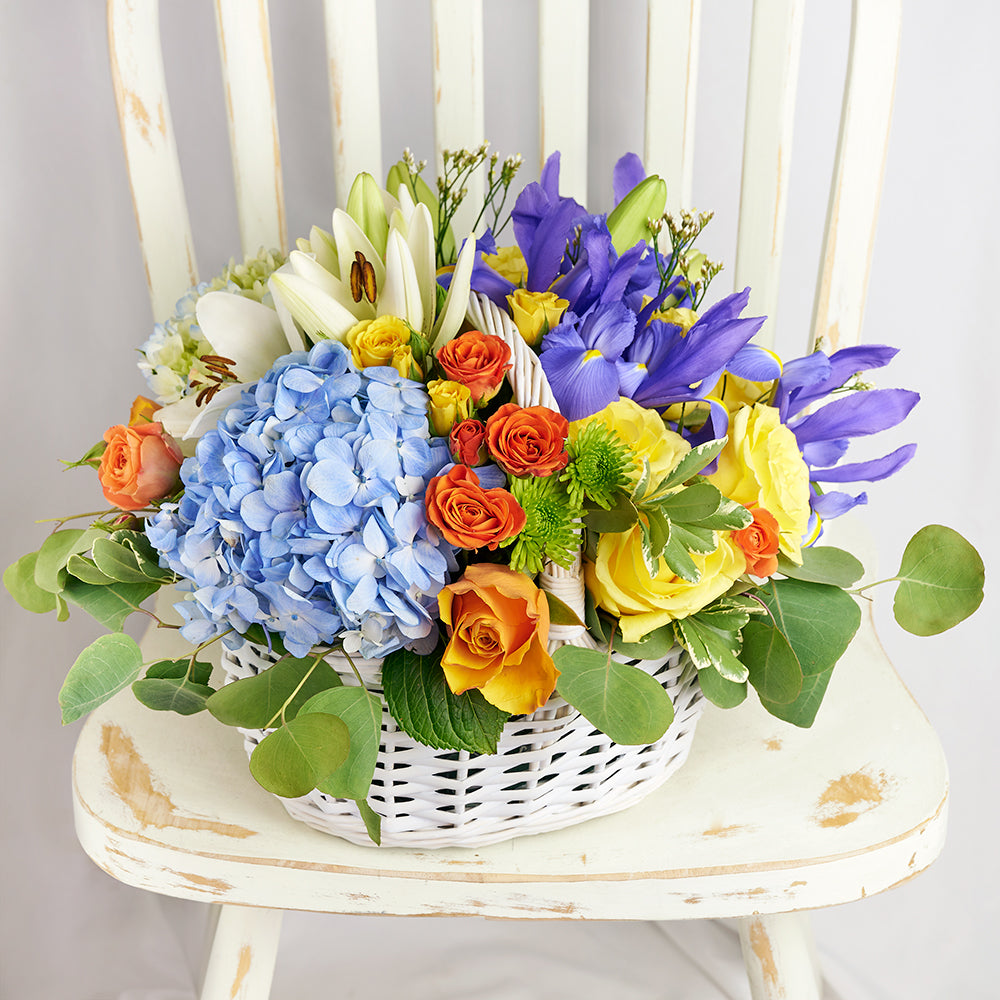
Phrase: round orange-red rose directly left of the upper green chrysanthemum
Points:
(529, 440)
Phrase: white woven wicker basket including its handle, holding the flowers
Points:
(552, 769)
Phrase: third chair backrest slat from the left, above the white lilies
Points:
(352, 60)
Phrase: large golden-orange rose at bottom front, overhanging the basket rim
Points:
(498, 621)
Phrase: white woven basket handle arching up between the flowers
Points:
(531, 388)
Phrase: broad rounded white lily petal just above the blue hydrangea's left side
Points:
(243, 330)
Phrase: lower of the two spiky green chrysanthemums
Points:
(552, 529)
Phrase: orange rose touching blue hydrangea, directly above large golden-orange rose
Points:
(469, 516)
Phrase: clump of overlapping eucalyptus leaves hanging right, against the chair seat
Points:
(791, 656)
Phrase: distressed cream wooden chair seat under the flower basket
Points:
(763, 818)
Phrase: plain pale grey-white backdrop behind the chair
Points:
(75, 306)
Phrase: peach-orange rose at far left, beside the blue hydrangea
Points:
(140, 464)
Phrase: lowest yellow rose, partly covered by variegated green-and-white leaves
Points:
(621, 583)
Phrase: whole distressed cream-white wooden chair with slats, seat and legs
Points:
(764, 820)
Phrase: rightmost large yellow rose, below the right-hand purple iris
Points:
(762, 466)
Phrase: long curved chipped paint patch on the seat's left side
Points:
(132, 781)
